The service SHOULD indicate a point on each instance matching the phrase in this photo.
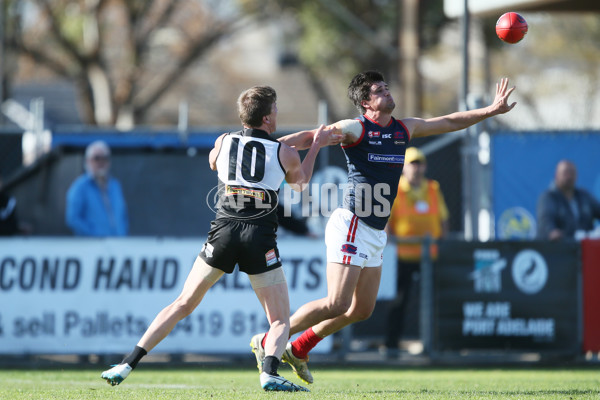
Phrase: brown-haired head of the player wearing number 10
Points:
(254, 104)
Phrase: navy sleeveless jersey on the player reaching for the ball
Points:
(375, 164)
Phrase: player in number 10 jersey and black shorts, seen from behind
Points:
(251, 166)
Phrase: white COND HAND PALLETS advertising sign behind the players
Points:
(80, 296)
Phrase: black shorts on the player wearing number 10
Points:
(252, 247)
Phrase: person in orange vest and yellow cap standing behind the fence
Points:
(418, 211)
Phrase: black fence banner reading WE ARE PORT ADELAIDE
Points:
(521, 296)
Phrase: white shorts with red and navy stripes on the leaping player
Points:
(350, 241)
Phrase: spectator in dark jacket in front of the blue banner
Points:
(565, 209)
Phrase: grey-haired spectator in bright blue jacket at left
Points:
(95, 202)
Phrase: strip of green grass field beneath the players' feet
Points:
(330, 383)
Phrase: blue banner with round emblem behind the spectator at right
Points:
(523, 169)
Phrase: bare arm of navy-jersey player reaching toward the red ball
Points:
(462, 119)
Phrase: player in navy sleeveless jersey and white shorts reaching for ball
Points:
(374, 145)
